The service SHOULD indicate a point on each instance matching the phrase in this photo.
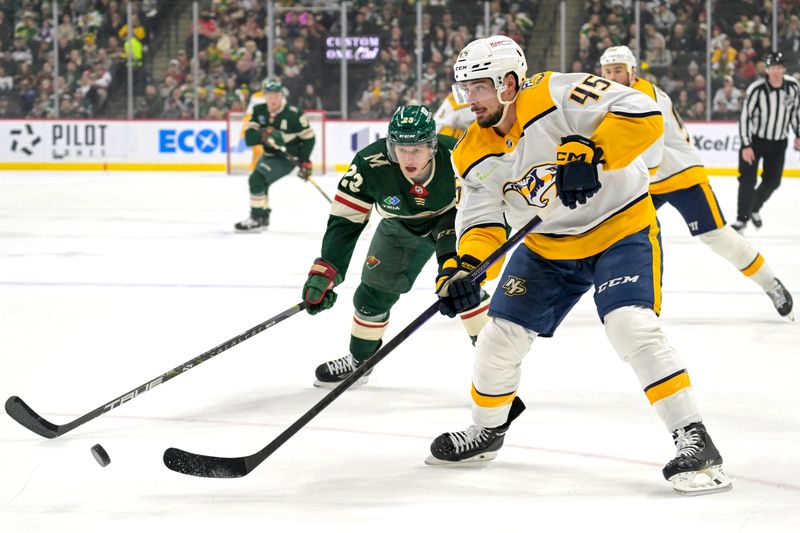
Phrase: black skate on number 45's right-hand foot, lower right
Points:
(697, 467)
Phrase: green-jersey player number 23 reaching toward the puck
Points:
(409, 179)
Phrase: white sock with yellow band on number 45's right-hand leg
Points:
(637, 337)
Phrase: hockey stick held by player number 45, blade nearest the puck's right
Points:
(230, 467)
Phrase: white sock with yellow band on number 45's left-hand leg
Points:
(498, 354)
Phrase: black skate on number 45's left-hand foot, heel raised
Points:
(473, 445)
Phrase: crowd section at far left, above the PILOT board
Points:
(91, 39)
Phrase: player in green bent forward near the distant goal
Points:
(280, 129)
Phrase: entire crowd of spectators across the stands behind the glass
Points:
(92, 50)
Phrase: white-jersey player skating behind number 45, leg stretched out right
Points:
(679, 178)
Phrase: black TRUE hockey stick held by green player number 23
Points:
(27, 417)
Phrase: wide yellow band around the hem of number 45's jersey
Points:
(631, 219)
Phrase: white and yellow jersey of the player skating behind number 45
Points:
(679, 166)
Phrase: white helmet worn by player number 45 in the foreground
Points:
(491, 57)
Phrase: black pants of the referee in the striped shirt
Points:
(751, 199)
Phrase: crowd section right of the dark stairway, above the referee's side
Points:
(672, 46)
